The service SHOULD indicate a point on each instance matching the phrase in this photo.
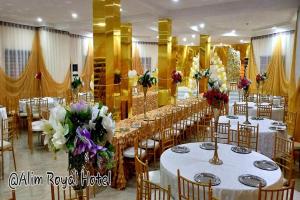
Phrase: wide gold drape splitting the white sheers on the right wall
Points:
(276, 84)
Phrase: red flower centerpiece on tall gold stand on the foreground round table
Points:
(216, 97)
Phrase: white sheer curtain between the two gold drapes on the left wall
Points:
(60, 49)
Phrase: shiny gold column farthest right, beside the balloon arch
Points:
(205, 44)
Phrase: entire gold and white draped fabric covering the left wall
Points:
(25, 85)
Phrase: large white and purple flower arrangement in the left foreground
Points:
(85, 132)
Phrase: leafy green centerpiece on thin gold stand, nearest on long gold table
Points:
(146, 81)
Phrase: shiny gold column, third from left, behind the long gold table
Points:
(164, 58)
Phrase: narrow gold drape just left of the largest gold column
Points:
(88, 70)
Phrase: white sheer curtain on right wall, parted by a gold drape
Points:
(263, 48)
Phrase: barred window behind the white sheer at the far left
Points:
(15, 61)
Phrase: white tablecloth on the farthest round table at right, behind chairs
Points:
(277, 112)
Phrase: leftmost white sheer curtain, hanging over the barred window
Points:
(15, 47)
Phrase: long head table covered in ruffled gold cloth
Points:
(125, 134)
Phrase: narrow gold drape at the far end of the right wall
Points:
(252, 69)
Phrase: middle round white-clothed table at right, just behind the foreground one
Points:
(265, 134)
